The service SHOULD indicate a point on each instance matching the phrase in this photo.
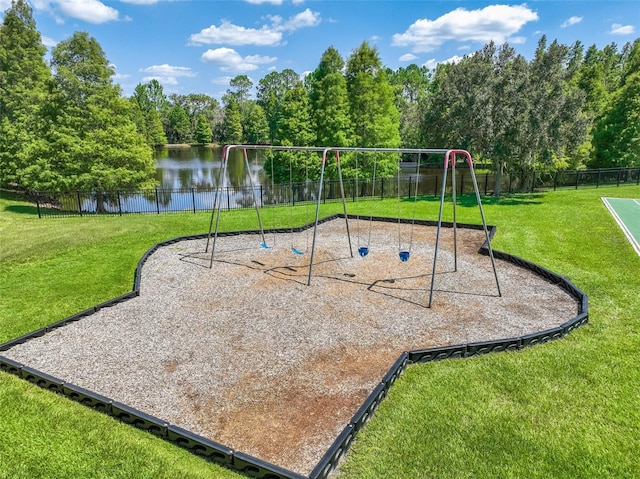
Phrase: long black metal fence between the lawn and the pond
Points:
(428, 183)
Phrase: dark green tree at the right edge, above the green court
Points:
(616, 137)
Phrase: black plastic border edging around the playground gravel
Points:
(253, 466)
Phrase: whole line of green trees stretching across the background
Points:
(67, 126)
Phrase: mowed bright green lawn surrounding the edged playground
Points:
(570, 408)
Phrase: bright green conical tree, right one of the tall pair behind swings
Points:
(374, 117)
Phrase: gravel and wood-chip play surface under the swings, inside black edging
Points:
(247, 354)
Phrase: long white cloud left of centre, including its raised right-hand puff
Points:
(268, 35)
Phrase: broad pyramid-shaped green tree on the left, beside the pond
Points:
(87, 139)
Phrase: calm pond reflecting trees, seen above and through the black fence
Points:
(188, 181)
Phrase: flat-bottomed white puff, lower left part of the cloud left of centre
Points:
(230, 34)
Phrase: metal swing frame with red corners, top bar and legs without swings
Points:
(450, 159)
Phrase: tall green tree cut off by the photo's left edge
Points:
(23, 78)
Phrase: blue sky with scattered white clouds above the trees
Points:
(196, 46)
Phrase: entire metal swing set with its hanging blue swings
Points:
(404, 253)
